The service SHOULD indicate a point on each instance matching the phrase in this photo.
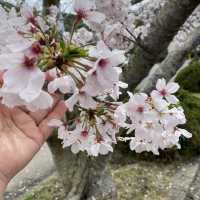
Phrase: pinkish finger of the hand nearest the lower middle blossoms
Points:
(57, 113)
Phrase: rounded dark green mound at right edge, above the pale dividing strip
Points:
(189, 78)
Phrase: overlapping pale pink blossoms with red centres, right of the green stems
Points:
(99, 77)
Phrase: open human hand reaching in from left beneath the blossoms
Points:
(21, 136)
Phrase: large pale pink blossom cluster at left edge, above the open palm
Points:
(23, 80)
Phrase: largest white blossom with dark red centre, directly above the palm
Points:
(22, 77)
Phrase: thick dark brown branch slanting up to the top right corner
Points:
(161, 32)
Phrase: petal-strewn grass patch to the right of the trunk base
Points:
(143, 181)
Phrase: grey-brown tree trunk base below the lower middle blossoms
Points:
(84, 178)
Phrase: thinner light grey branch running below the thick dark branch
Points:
(168, 68)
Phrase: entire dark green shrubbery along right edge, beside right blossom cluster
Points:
(189, 79)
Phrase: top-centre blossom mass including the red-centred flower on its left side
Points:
(109, 21)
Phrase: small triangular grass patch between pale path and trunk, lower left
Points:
(50, 189)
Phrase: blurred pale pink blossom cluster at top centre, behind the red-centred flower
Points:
(114, 30)
